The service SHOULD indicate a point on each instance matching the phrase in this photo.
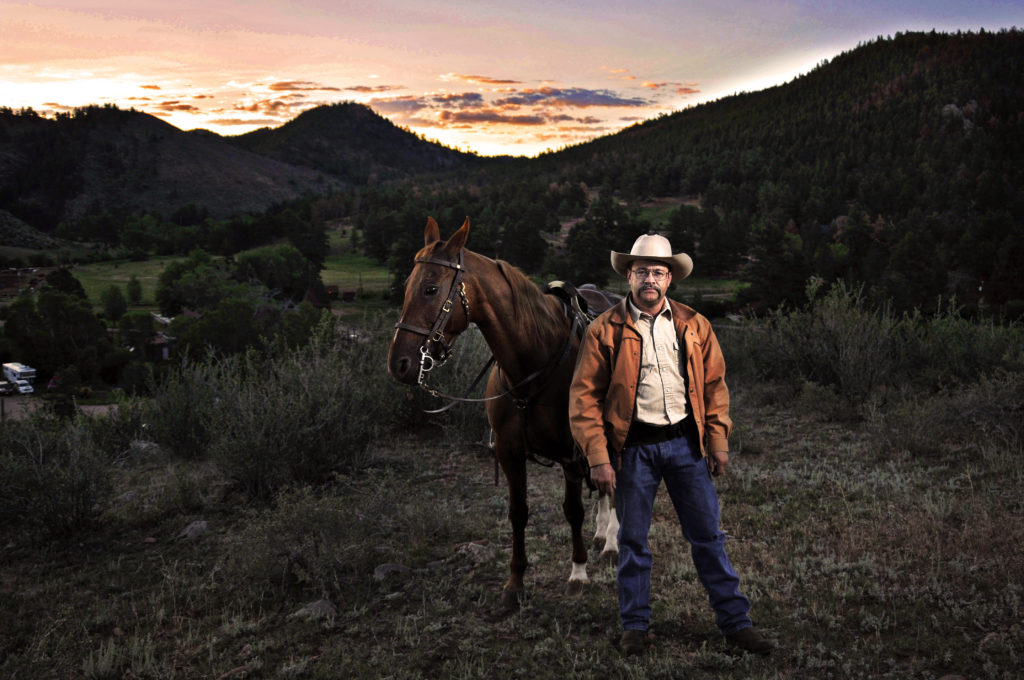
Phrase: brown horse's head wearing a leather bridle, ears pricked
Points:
(431, 316)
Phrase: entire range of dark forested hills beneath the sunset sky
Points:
(898, 164)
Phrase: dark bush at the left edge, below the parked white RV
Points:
(52, 477)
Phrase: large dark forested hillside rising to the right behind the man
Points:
(899, 163)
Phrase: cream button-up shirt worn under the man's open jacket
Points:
(662, 392)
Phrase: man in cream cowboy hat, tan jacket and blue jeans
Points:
(649, 403)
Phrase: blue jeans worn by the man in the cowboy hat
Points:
(686, 473)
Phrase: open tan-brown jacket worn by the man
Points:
(603, 397)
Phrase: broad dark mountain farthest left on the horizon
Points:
(105, 159)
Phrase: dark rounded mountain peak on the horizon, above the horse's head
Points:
(353, 143)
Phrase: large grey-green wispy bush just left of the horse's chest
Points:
(304, 415)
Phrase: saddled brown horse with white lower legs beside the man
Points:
(535, 347)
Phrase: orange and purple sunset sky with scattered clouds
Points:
(516, 77)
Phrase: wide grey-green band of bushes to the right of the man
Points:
(837, 342)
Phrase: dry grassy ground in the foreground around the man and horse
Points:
(863, 560)
